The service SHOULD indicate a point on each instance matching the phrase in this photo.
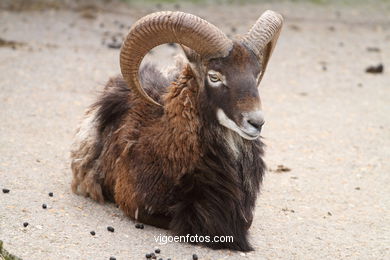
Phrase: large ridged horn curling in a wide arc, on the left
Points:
(165, 27)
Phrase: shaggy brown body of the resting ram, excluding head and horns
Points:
(124, 142)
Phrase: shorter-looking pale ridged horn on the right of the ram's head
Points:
(262, 37)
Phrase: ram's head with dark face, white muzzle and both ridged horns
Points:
(228, 72)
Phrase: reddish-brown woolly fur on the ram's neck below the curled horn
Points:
(180, 124)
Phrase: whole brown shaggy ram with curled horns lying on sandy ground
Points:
(181, 151)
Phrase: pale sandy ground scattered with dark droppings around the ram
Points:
(327, 120)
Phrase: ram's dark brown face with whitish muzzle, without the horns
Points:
(231, 84)
